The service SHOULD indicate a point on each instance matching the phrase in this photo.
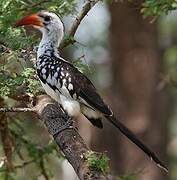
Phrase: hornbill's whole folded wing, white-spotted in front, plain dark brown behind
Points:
(63, 77)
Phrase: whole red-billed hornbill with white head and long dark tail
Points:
(66, 84)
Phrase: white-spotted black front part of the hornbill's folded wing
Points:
(55, 73)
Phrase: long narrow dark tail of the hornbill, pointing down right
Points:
(136, 141)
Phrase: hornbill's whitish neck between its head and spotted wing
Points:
(49, 44)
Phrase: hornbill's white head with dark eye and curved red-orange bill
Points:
(48, 23)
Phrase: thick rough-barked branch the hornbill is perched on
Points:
(69, 141)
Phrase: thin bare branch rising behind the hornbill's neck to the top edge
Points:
(86, 8)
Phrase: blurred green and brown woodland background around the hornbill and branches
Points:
(129, 51)
